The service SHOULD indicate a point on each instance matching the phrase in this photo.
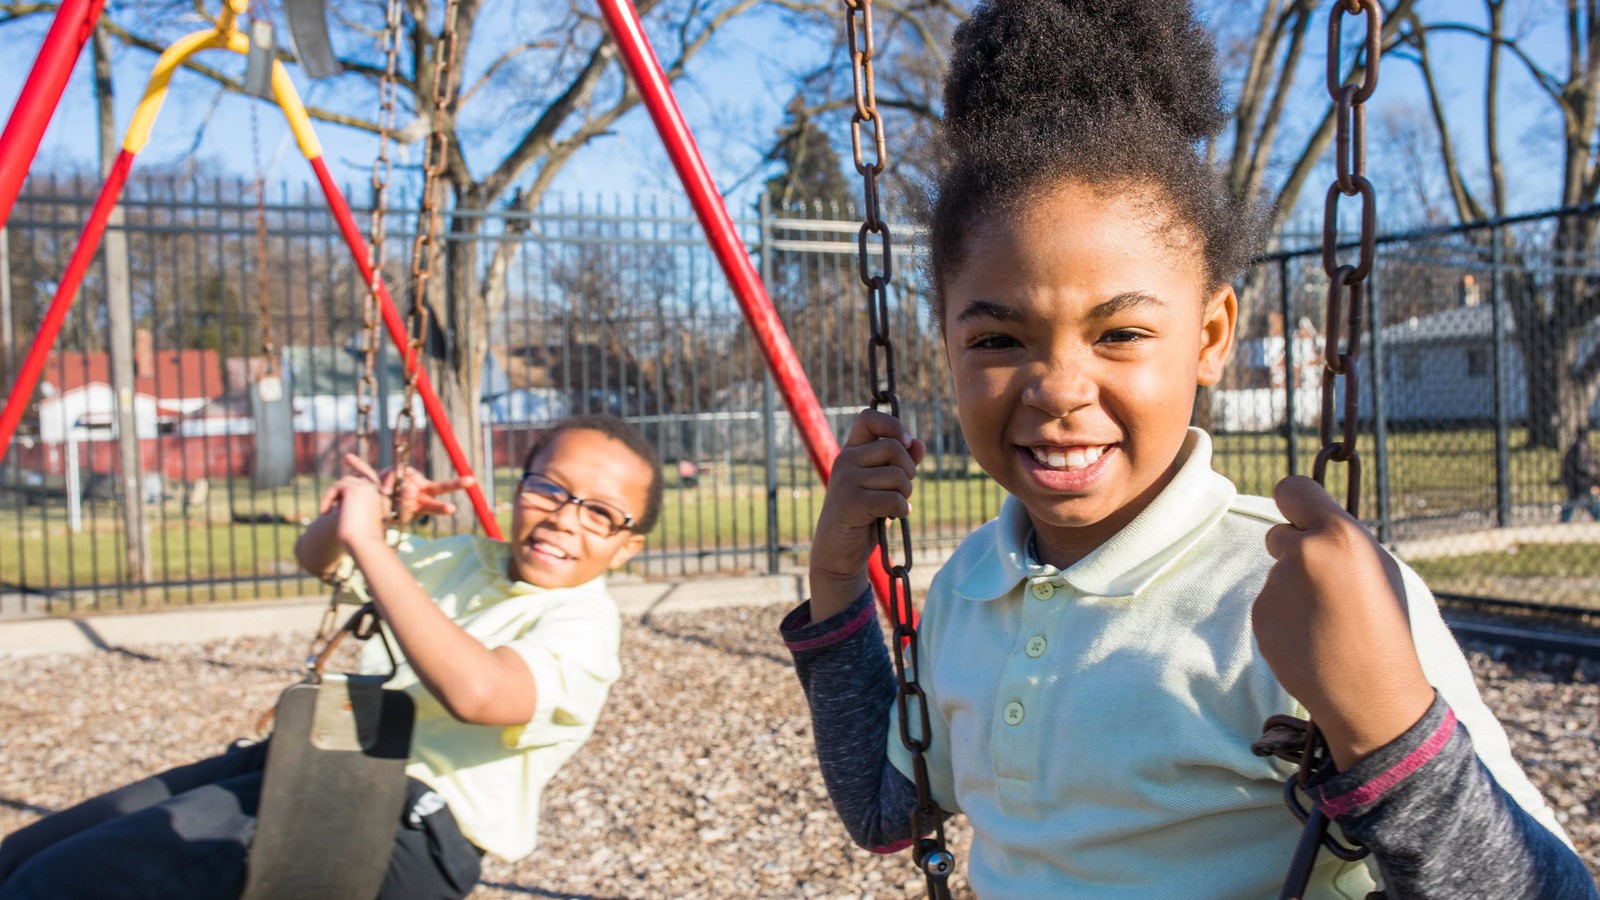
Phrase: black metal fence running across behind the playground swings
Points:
(609, 305)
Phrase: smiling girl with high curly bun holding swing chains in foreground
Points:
(1100, 657)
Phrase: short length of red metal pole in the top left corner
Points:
(41, 95)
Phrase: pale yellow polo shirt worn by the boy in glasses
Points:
(494, 777)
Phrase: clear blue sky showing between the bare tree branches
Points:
(734, 102)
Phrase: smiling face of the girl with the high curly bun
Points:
(1078, 331)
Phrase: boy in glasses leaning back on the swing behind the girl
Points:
(506, 649)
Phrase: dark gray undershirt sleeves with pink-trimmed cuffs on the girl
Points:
(1438, 824)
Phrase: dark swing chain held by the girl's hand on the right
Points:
(1298, 739)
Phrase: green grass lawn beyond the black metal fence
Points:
(202, 539)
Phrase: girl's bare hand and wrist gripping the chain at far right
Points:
(1334, 627)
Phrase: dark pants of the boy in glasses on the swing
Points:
(186, 835)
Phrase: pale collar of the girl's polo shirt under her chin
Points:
(1124, 566)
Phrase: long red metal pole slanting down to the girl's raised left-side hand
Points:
(642, 66)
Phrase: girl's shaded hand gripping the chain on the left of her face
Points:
(873, 480)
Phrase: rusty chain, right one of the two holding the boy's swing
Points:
(434, 163)
